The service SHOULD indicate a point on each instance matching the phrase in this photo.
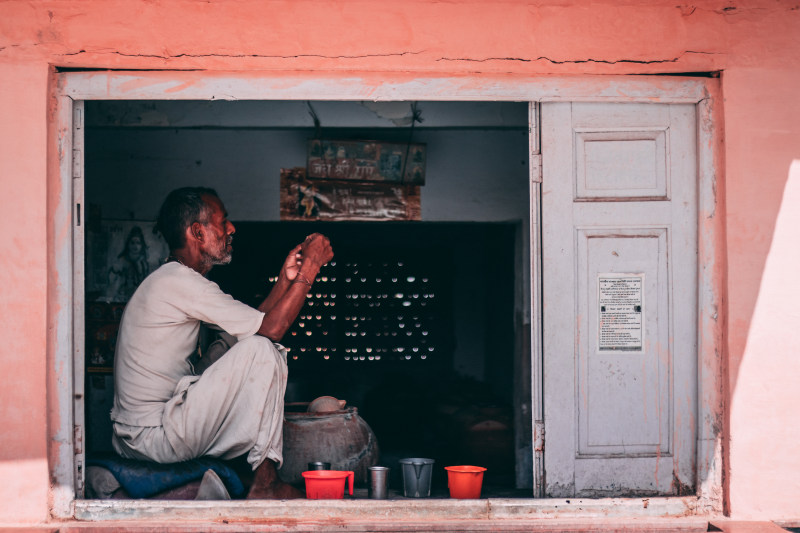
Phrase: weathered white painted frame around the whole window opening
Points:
(71, 89)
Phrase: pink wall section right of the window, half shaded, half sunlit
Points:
(763, 262)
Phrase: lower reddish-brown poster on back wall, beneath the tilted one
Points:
(313, 199)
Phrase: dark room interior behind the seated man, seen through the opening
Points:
(413, 323)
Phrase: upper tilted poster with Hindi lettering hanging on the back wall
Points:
(402, 163)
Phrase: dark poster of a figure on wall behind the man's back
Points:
(119, 255)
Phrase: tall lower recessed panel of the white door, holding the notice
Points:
(628, 385)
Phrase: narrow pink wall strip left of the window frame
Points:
(23, 297)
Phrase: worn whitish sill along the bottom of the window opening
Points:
(487, 510)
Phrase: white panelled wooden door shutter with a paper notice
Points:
(619, 271)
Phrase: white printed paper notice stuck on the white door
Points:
(621, 302)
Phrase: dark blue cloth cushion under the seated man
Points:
(142, 479)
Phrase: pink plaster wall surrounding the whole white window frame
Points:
(756, 43)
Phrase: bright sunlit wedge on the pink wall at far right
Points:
(763, 450)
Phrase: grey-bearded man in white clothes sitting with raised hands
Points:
(163, 410)
